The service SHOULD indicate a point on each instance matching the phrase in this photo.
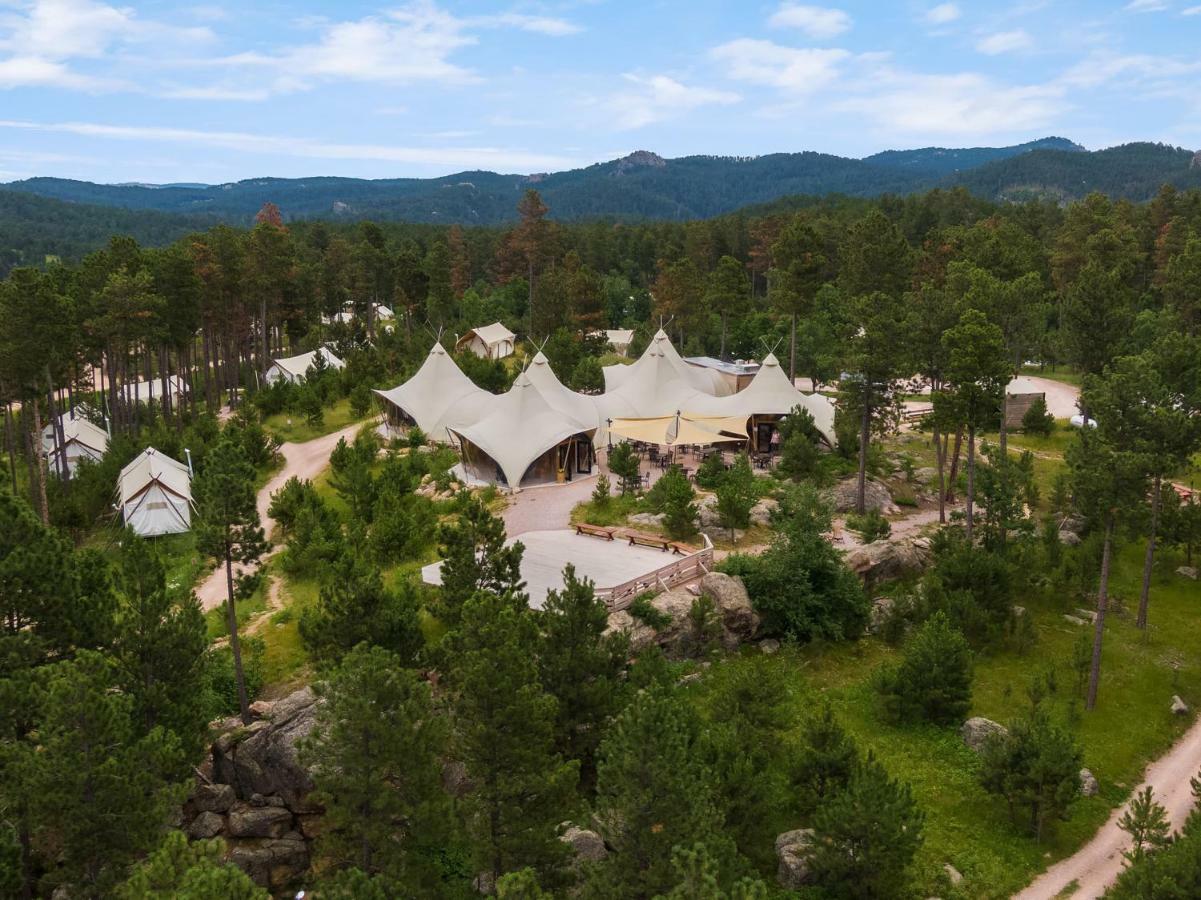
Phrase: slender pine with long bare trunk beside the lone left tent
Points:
(228, 531)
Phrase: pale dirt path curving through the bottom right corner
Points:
(1096, 866)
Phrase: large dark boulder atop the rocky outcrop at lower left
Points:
(262, 759)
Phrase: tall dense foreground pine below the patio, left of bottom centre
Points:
(505, 734)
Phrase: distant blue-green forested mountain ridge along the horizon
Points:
(648, 187)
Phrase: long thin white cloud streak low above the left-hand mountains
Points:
(440, 158)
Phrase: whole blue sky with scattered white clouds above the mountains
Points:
(219, 92)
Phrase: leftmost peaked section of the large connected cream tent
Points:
(437, 398)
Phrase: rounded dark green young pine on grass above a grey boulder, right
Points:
(934, 682)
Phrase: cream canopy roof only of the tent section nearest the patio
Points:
(521, 428)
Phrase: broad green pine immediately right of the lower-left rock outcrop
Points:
(377, 752)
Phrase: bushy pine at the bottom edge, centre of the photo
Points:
(654, 792)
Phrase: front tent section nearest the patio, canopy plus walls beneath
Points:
(524, 440)
